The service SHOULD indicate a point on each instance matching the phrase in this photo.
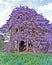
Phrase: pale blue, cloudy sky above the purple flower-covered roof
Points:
(43, 7)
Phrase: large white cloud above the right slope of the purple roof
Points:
(46, 10)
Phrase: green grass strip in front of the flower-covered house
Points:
(25, 59)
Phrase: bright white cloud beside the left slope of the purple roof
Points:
(4, 15)
